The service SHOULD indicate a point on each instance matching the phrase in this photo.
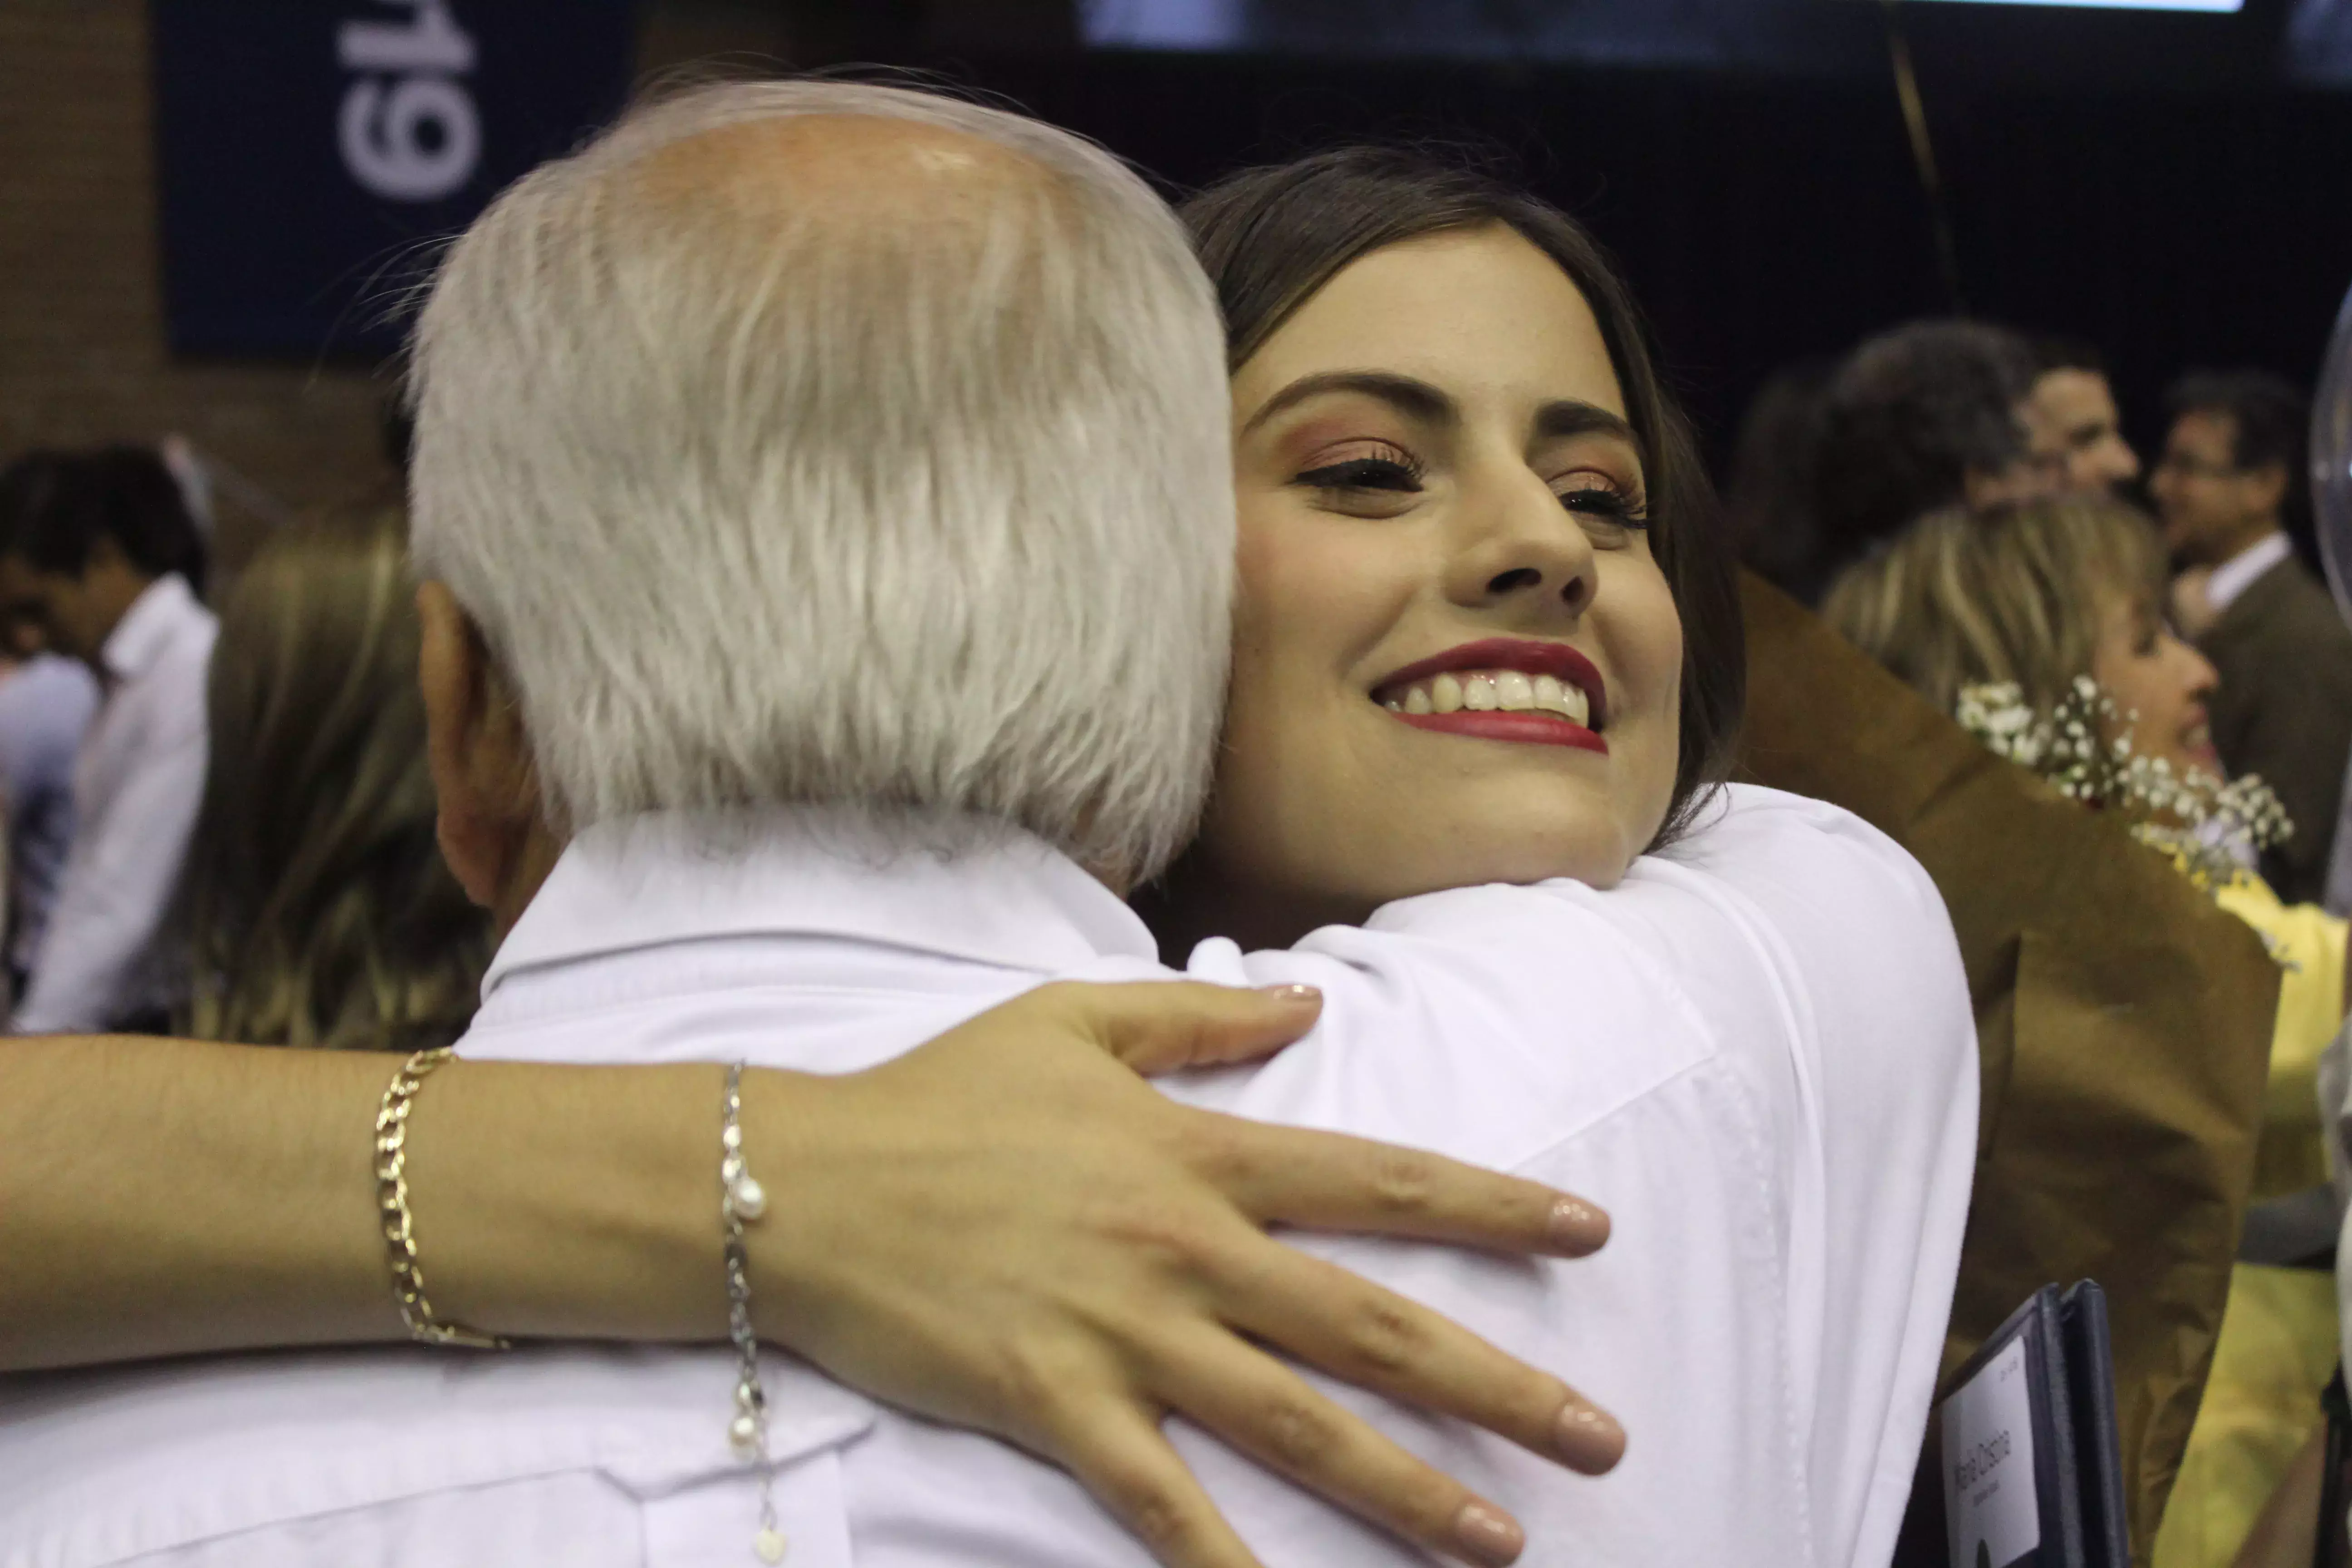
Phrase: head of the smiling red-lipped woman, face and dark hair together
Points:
(1488, 624)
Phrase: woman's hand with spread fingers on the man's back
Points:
(1010, 1231)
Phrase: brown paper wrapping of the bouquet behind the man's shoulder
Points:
(2123, 1026)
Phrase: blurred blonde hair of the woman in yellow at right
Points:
(2007, 596)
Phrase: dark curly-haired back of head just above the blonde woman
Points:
(1911, 417)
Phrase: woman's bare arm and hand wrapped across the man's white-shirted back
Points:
(1003, 1228)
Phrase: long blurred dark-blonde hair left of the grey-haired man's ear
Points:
(319, 904)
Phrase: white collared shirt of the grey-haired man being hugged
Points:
(1756, 1054)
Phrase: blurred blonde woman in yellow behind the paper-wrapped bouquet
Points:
(2050, 617)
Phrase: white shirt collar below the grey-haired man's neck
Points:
(933, 883)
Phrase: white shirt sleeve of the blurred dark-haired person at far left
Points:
(116, 890)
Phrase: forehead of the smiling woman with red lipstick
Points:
(1478, 314)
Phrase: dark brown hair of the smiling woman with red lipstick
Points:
(1271, 239)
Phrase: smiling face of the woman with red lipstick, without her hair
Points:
(1455, 655)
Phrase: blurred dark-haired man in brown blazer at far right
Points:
(2231, 471)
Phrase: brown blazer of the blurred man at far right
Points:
(2285, 711)
